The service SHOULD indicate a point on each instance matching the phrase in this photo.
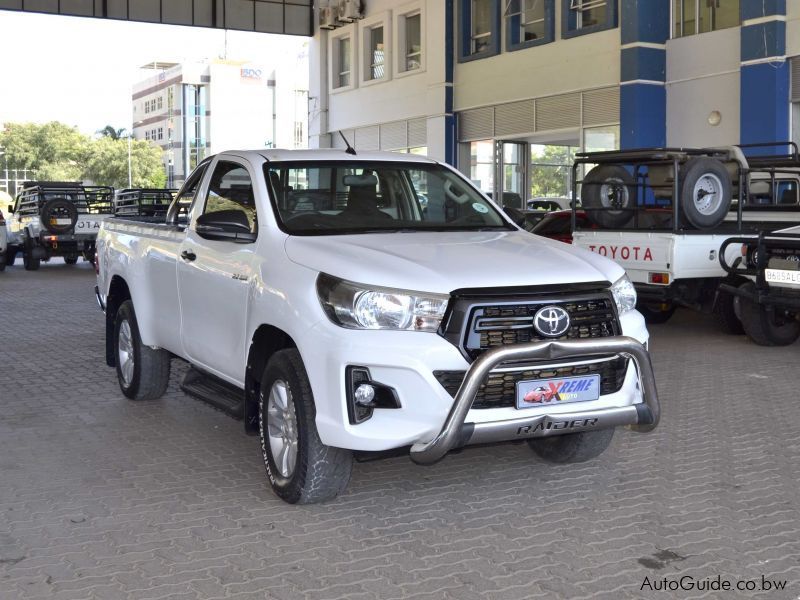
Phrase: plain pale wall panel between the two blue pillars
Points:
(703, 76)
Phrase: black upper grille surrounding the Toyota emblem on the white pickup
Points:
(493, 325)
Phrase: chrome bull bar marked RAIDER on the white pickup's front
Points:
(455, 432)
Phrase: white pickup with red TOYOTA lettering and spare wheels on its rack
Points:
(664, 213)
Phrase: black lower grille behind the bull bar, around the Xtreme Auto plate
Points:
(500, 388)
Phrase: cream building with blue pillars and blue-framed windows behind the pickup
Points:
(492, 86)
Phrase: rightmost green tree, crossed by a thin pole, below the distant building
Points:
(107, 163)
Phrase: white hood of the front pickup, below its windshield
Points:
(440, 262)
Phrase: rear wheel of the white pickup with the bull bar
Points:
(148, 377)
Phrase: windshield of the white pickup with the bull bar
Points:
(327, 198)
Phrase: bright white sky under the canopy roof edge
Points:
(80, 71)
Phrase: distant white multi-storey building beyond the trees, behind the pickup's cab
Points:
(195, 109)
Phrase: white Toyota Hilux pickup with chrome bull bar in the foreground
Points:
(317, 298)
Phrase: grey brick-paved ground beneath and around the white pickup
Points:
(104, 498)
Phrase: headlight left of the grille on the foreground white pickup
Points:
(356, 306)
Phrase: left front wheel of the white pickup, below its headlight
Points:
(320, 472)
